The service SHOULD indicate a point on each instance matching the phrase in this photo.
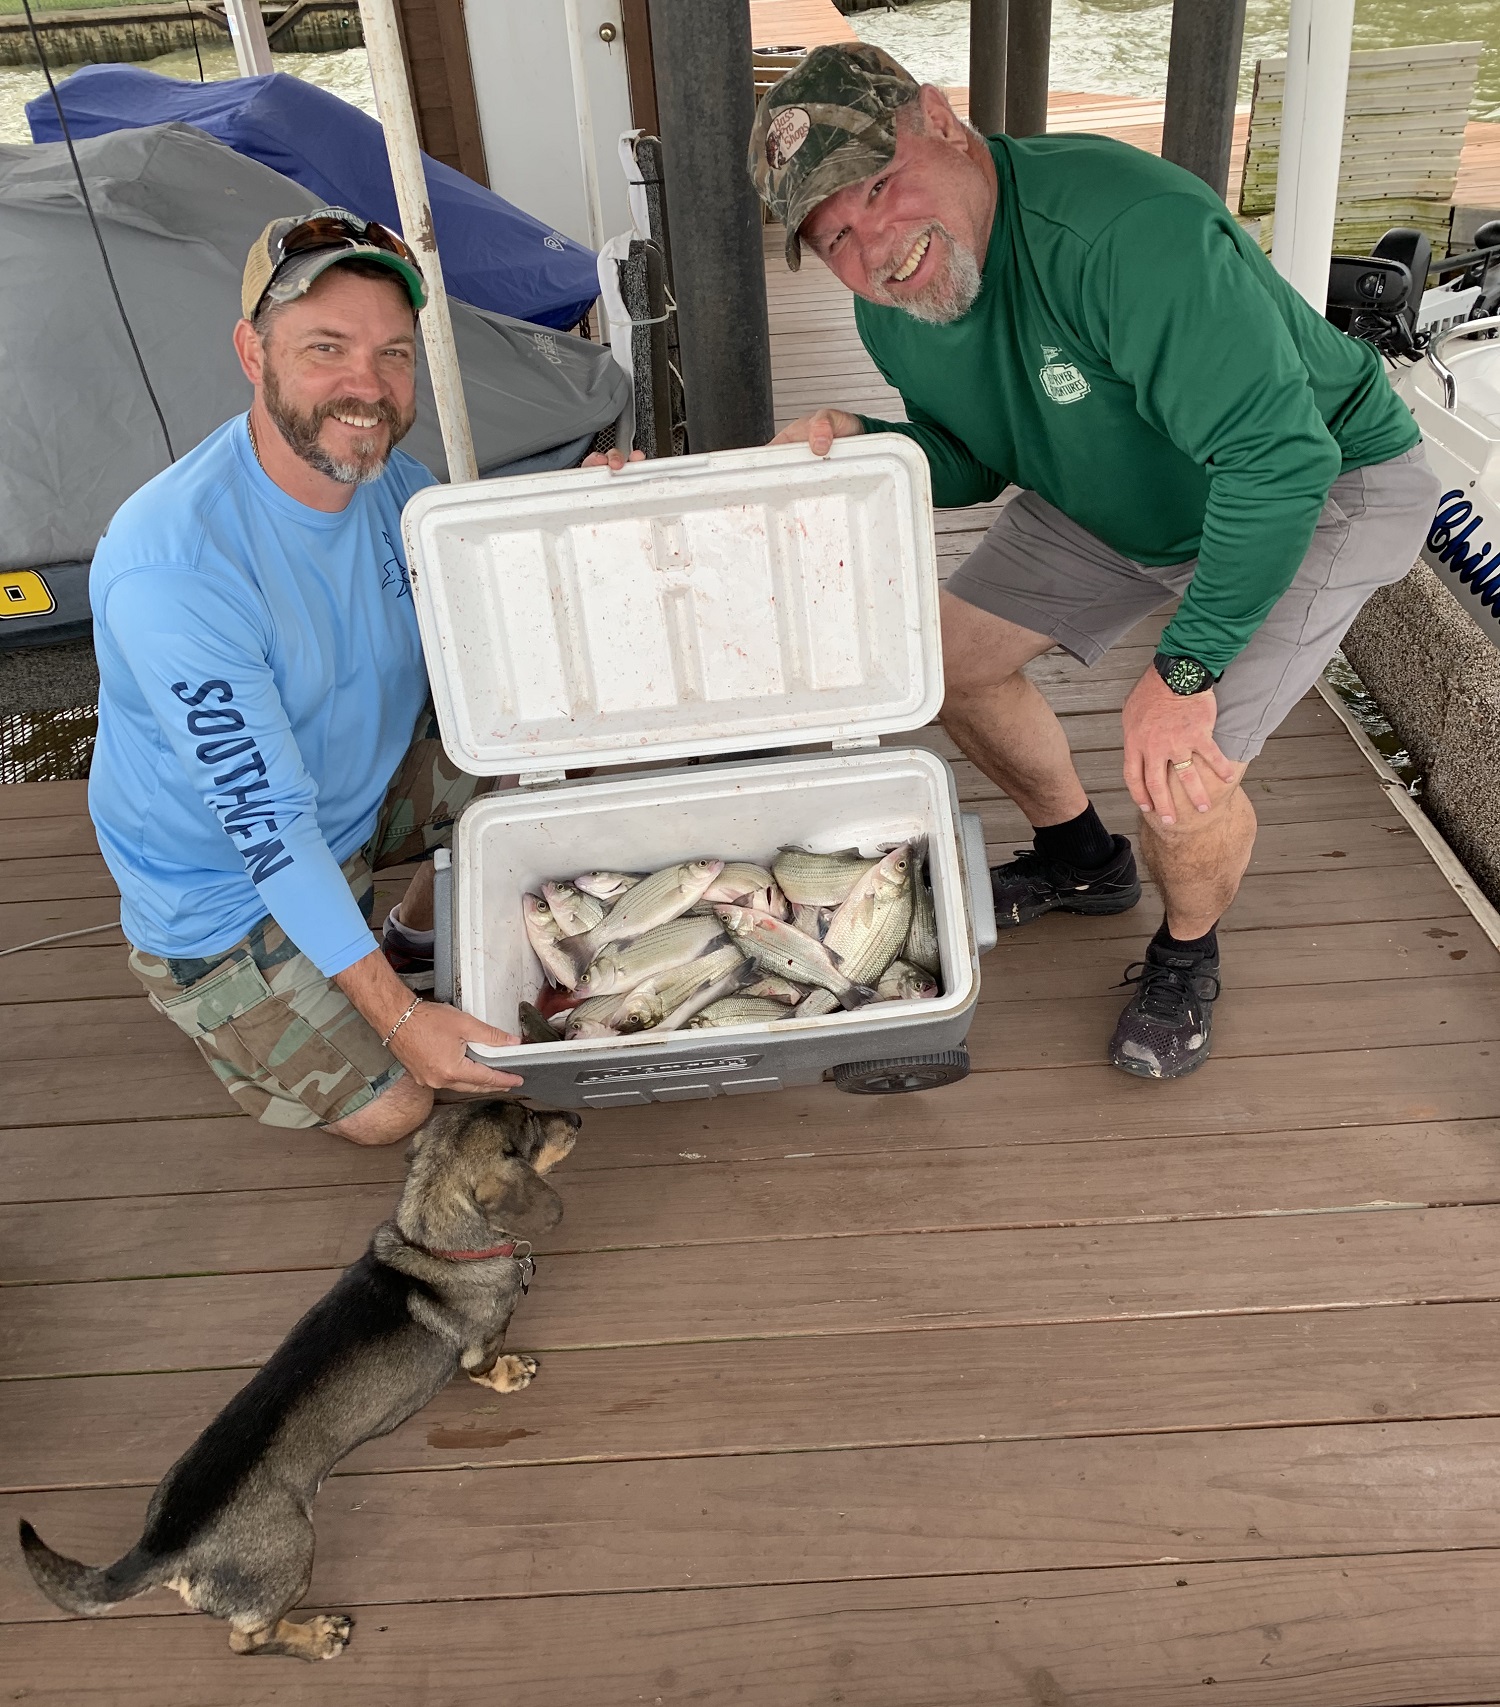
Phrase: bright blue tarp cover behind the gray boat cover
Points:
(492, 253)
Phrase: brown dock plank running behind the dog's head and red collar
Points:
(980, 1187)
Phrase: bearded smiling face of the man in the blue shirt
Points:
(340, 373)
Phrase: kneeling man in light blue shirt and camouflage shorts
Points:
(265, 737)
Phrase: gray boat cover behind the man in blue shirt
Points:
(180, 213)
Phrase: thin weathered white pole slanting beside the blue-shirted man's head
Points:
(393, 100)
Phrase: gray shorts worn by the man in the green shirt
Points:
(1045, 573)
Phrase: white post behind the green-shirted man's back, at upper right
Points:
(1318, 50)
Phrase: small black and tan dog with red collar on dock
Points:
(231, 1523)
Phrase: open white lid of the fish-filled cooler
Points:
(706, 605)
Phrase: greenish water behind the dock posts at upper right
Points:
(1120, 47)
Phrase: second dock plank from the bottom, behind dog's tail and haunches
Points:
(828, 1517)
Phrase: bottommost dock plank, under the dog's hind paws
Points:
(1381, 1631)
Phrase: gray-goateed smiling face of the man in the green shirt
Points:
(914, 236)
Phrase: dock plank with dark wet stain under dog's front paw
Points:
(1045, 1382)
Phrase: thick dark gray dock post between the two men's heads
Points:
(706, 103)
